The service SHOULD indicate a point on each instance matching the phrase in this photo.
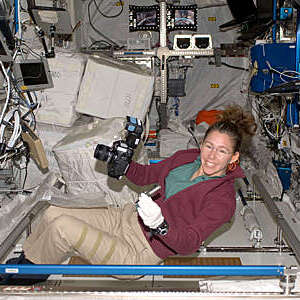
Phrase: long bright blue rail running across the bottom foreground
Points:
(144, 270)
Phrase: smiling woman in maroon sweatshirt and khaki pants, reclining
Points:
(196, 197)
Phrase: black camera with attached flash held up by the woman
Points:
(119, 155)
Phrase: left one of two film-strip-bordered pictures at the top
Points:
(144, 18)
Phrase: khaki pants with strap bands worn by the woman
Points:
(101, 236)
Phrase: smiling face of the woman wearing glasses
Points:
(216, 153)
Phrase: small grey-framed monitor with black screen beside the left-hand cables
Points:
(32, 74)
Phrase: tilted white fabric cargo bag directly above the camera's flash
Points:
(113, 88)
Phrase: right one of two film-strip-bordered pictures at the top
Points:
(182, 17)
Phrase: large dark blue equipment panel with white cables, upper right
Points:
(268, 61)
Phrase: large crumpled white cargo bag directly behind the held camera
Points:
(86, 176)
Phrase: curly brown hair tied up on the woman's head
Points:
(236, 122)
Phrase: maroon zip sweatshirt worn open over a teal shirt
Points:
(193, 213)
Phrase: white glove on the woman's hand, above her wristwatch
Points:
(149, 211)
